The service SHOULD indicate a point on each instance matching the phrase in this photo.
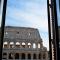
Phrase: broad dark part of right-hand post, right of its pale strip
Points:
(55, 30)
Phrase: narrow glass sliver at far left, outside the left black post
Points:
(1, 9)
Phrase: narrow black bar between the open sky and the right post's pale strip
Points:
(49, 29)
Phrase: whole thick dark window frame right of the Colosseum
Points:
(55, 40)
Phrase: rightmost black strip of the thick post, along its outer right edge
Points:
(56, 29)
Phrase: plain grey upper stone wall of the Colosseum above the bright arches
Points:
(22, 33)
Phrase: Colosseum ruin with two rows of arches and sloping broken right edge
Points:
(23, 43)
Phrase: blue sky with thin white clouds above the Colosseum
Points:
(29, 13)
